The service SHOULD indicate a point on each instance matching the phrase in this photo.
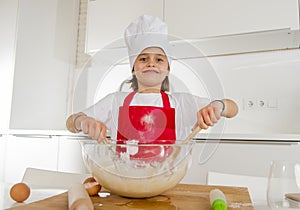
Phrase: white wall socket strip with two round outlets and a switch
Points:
(260, 103)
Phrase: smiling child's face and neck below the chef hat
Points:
(151, 68)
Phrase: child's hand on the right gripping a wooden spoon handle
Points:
(209, 115)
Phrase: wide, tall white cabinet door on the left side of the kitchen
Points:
(44, 59)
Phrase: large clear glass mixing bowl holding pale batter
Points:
(137, 170)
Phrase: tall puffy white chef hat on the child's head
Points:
(146, 31)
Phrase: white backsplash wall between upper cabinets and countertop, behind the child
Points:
(264, 84)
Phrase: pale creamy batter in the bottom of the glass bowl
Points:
(138, 187)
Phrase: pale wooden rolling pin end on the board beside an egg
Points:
(78, 198)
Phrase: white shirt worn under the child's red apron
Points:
(186, 107)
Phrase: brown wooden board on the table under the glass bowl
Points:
(183, 196)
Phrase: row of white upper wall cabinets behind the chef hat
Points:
(213, 27)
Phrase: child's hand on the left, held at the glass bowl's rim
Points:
(93, 128)
